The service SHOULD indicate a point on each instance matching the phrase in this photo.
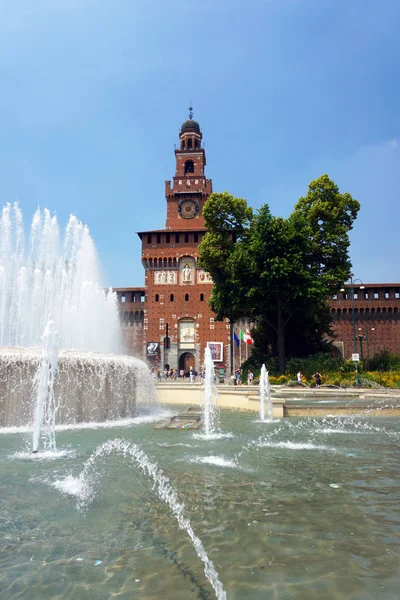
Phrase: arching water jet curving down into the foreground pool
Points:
(83, 488)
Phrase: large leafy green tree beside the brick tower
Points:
(278, 272)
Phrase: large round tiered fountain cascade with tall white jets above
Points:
(59, 331)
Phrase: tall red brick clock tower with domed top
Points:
(178, 322)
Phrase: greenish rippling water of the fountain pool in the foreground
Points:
(293, 509)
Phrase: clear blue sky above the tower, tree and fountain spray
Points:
(93, 93)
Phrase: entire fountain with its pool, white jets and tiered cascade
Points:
(308, 508)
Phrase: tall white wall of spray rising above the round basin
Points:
(53, 278)
